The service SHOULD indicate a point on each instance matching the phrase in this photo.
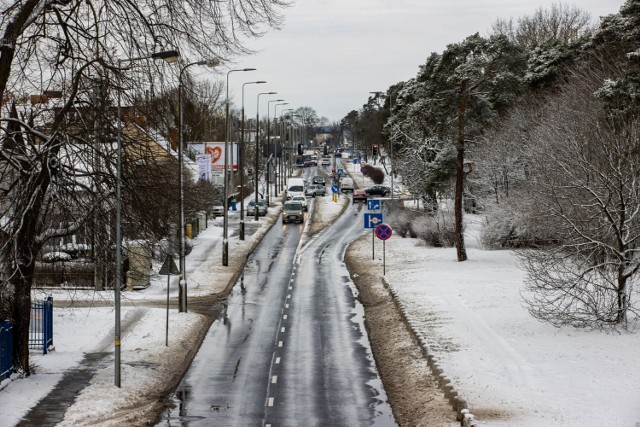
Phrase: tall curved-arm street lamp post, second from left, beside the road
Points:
(182, 289)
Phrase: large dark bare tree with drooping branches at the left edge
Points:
(73, 48)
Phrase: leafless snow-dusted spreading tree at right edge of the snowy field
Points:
(586, 185)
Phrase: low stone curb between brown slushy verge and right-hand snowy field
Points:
(457, 402)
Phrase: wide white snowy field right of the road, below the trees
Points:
(511, 369)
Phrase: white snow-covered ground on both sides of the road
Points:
(512, 369)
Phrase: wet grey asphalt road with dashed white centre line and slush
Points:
(290, 347)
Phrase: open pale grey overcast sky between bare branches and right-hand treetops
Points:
(331, 53)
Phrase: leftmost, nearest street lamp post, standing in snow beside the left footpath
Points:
(168, 56)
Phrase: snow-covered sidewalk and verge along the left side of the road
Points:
(74, 384)
